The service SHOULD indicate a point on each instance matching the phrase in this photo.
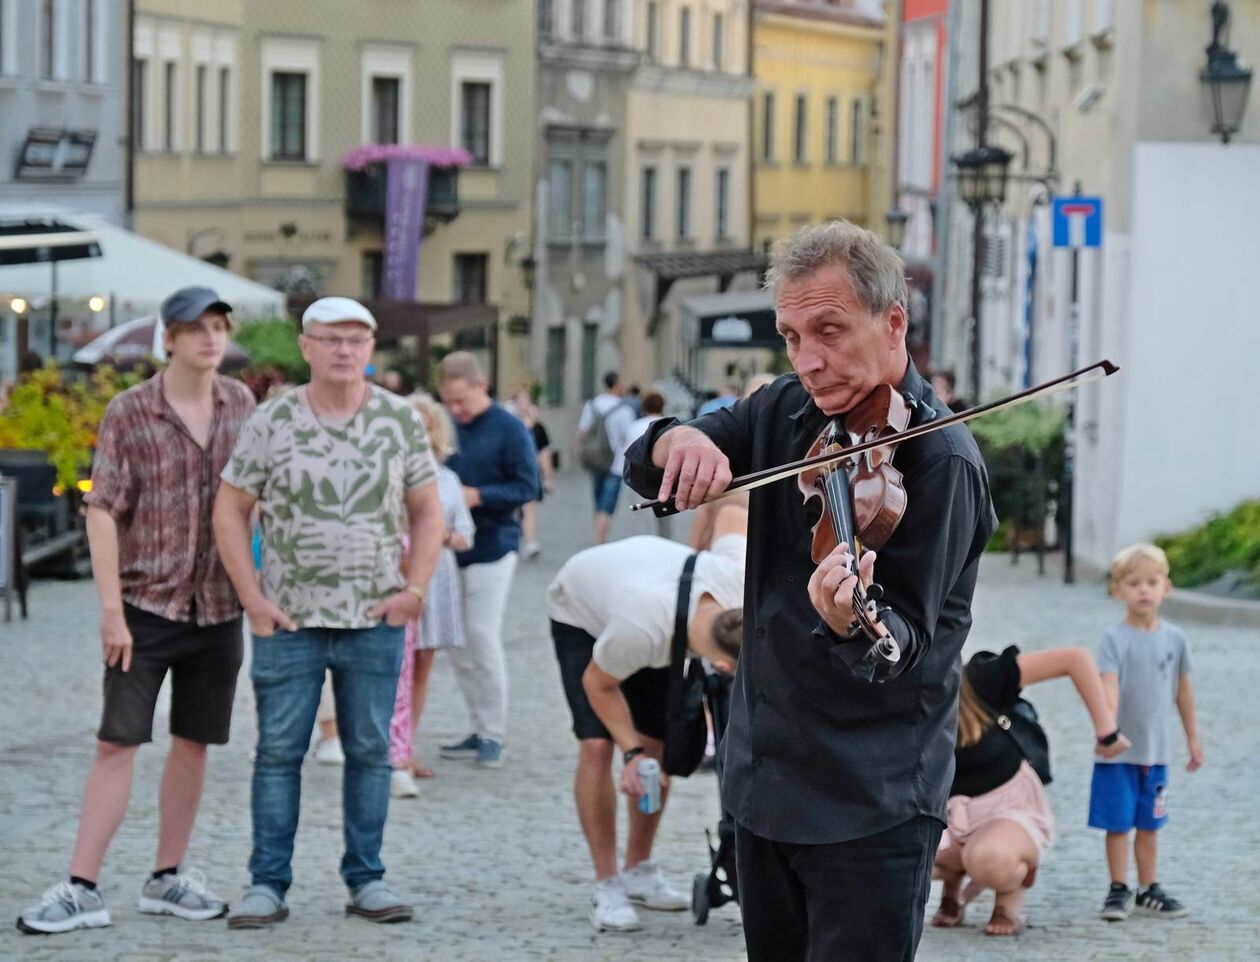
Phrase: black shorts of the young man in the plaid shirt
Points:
(203, 663)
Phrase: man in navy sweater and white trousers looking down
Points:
(498, 467)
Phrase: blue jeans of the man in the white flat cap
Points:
(288, 673)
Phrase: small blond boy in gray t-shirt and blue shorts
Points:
(1146, 670)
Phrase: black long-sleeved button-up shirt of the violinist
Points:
(817, 753)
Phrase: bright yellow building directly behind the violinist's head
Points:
(822, 115)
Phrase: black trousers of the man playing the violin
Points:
(847, 902)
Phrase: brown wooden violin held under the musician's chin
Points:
(860, 501)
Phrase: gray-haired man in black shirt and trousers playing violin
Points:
(837, 765)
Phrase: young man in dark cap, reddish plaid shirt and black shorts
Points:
(167, 605)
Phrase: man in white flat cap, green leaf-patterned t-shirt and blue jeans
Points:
(341, 471)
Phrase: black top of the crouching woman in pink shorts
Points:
(995, 760)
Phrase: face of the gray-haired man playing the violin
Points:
(839, 349)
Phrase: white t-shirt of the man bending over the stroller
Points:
(624, 594)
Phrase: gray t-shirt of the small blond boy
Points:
(1150, 665)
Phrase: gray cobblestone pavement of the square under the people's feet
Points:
(495, 861)
